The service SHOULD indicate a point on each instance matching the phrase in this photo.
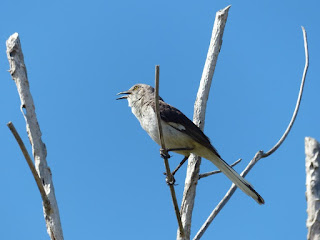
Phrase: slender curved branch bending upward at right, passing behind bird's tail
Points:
(259, 154)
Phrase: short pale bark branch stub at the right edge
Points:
(312, 150)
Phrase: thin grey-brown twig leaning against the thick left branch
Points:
(31, 166)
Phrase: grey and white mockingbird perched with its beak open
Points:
(179, 132)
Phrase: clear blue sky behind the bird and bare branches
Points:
(107, 172)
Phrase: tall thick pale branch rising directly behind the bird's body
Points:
(199, 119)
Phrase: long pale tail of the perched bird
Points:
(239, 181)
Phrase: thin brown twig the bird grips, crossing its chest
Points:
(164, 154)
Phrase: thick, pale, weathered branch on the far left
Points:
(19, 75)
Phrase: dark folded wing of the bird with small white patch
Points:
(180, 122)
